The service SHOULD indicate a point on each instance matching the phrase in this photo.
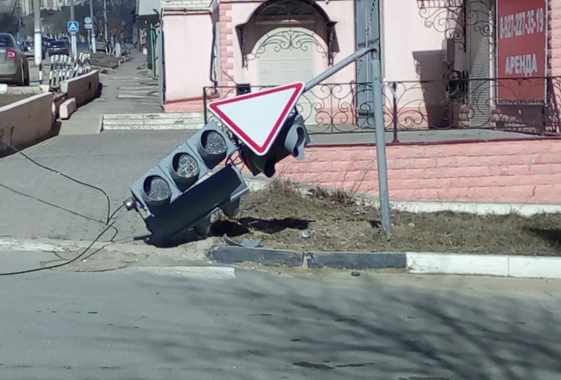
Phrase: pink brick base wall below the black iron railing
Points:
(521, 171)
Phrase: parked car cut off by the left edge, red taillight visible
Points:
(14, 67)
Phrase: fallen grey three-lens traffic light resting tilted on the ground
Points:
(181, 192)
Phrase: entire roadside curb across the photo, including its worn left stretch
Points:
(412, 262)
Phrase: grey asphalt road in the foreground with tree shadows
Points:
(164, 323)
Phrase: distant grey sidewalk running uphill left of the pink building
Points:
(125, 90)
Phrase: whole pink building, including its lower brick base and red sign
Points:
(488, 67)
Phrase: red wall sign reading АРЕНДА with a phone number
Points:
(522, 37)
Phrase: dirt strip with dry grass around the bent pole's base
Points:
(337, 222)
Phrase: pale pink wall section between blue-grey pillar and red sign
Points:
(413, 51)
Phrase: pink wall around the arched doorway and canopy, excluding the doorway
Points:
(185, 91)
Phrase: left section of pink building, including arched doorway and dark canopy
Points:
(251, 42)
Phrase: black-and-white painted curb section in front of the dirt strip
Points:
(412, 262)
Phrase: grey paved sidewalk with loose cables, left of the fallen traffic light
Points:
(110, 160)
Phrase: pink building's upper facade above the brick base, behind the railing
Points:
(440, 59)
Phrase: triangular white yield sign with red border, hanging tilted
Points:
(258, 117)
